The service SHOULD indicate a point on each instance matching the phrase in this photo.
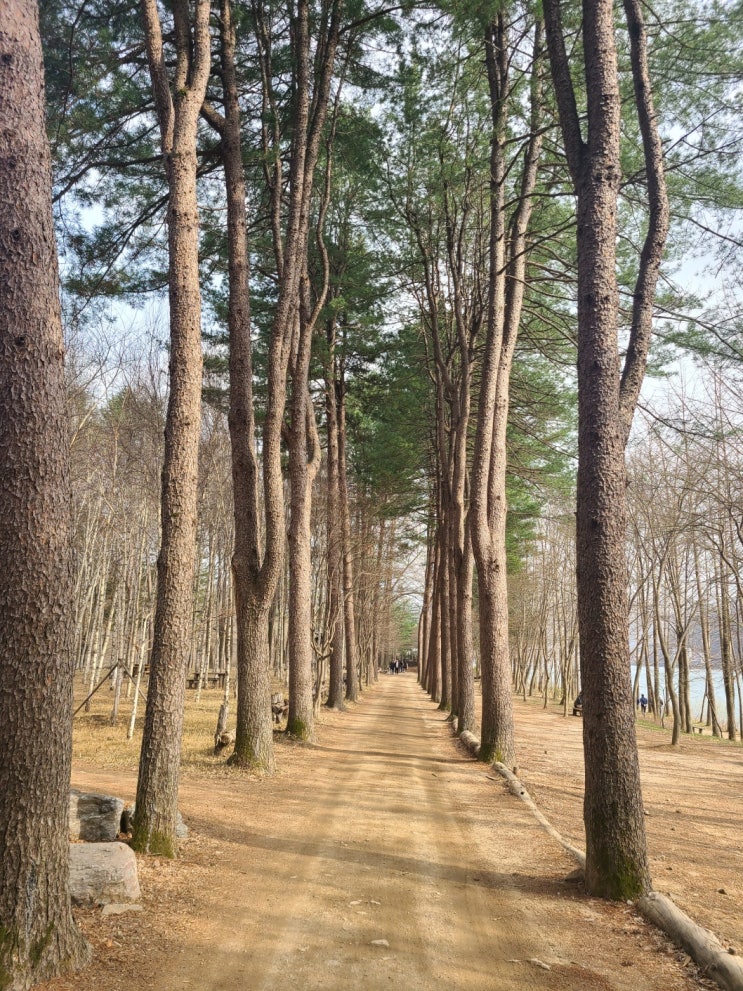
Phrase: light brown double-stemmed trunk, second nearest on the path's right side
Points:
(507, 266)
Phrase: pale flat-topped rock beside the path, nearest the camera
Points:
(103, 873)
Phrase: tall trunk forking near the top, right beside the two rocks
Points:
(178, 114)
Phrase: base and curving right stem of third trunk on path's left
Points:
(253, 744)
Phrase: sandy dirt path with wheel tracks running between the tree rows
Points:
(379, 858)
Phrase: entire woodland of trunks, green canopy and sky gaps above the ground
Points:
(348, 258)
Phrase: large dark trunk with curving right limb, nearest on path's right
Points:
(616, 853)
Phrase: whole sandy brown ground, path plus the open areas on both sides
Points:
(384, 857)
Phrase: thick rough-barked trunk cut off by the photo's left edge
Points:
(38, 938)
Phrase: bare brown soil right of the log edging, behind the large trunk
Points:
(693, 797)
